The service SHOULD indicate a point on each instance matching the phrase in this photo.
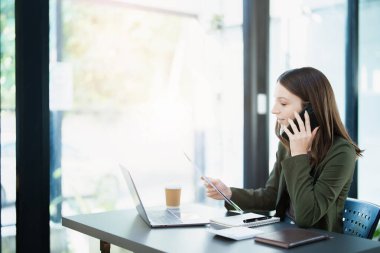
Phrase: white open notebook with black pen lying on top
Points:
(243, 220)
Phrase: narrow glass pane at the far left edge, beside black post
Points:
(8, 128)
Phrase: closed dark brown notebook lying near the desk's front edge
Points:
(290, 237)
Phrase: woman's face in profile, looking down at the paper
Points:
(286, 103)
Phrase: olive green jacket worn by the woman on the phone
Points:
(317, 194)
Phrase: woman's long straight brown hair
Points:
(312, 86)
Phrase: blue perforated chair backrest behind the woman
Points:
(360, 218)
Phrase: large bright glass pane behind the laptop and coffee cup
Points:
(141, 86)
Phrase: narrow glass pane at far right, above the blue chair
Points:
(369, 100)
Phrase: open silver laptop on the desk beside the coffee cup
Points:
(161, 216)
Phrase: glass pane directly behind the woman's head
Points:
(308, 33)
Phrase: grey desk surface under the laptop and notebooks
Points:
(127, 230)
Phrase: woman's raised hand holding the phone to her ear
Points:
(301, 140)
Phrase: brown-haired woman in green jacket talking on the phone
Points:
(313, 171)
